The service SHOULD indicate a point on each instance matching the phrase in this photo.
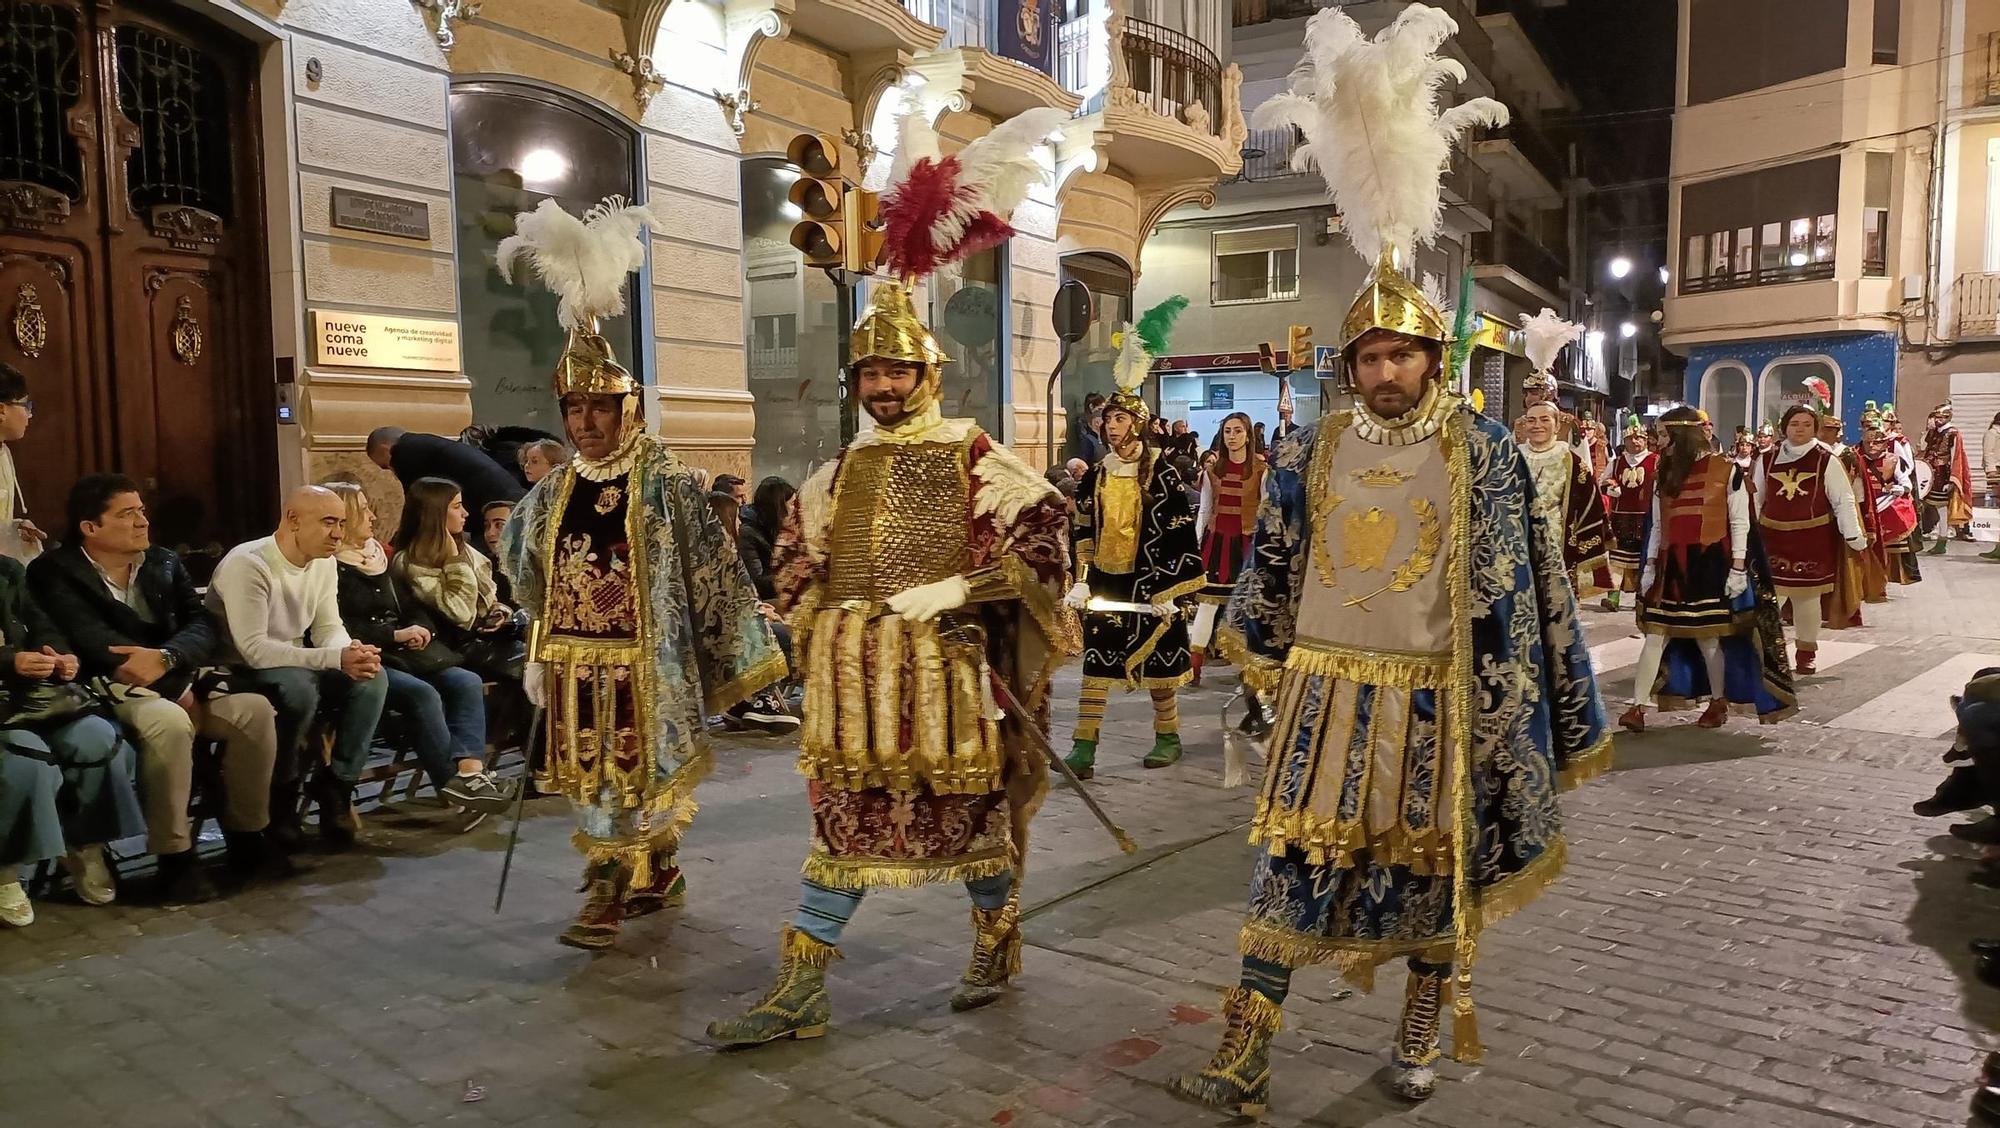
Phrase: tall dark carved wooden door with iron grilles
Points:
(131, 265)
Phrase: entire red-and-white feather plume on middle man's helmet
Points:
(941, 209)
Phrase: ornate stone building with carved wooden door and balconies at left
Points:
(239, 235)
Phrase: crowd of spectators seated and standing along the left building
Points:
(129, 691)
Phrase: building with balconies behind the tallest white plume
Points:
(1269, 255)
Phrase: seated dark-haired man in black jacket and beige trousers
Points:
(141, 627)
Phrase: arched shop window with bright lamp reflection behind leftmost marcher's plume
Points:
(515, 147)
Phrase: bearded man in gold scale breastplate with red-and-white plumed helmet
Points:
(919, 569)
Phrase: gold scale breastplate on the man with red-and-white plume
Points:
(899, 521)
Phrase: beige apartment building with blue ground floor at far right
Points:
(1835, 207)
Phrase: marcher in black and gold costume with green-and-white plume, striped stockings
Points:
(1135, 545)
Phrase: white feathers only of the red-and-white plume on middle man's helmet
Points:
(995, 173)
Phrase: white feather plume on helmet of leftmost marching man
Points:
(583, 261)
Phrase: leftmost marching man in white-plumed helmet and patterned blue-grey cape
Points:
(645, 619)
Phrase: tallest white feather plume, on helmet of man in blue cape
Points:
(1369, 111)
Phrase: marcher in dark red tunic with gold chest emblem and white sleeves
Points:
(1805, 511)
